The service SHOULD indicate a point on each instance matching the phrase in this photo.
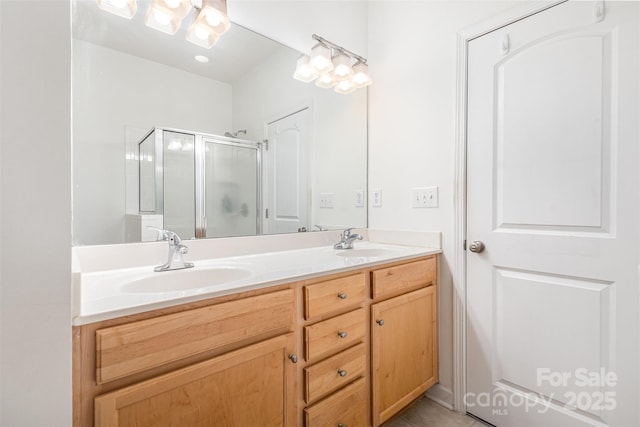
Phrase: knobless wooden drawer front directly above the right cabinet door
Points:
(404, 277)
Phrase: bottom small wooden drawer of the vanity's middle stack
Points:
(347, 407)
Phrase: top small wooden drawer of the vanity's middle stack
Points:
(332, 295)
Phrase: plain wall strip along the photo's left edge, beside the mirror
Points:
(35, 220)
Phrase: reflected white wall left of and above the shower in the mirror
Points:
(112, 90)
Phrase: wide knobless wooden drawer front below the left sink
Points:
(135, 347)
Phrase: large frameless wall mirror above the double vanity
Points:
(161, 139)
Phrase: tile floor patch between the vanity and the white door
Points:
(426, 413)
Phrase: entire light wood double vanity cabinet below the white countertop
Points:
(309, 353)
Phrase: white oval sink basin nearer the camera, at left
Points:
(183, 280)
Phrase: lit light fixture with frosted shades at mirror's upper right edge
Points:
(332, 66)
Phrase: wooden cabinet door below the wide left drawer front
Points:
(250, 386)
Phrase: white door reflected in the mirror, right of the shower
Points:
(286, 174)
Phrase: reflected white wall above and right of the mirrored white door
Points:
(337, 133)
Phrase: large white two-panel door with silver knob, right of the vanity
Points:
(552, 192)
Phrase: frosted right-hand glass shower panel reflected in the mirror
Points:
(231, 189)
